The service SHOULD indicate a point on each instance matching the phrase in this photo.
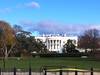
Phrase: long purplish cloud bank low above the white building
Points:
(53, 27)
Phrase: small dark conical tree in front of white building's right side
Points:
(69, 47)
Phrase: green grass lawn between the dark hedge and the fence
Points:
(37, 63)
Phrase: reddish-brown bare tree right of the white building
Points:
(89, 40)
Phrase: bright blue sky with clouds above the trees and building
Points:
(52, 16)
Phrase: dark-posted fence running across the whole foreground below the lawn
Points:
(49, 71)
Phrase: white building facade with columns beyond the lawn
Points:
(55, 43)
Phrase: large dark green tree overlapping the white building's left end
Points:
(27, 43)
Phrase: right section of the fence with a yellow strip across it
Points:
(69, 71)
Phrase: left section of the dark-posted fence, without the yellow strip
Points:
(21, 71)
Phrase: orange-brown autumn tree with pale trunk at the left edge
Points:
(7, 39)
